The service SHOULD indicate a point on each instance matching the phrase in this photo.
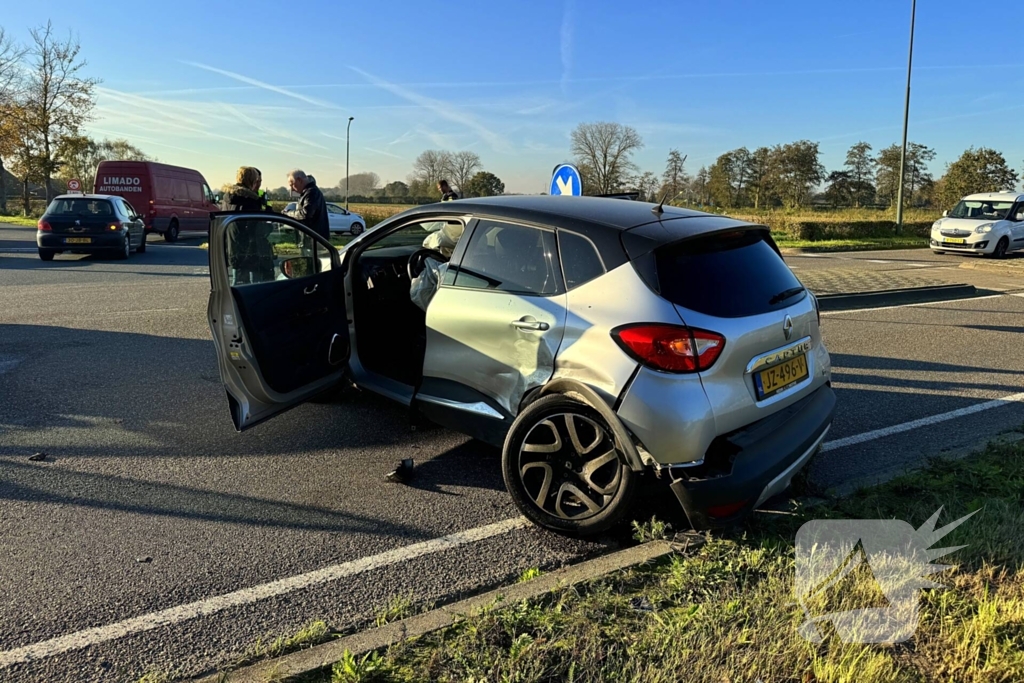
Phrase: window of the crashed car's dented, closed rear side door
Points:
(510, 259)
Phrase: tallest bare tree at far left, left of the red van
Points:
(58, 99)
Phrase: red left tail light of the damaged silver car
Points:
(671, 349)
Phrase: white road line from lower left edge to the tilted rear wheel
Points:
(172, 616)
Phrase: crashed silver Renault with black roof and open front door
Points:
(596, 341)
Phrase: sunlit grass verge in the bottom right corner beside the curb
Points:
(728, 613)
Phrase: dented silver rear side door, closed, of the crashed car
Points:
(496, 323)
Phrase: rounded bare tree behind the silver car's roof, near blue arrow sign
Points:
(604, 152)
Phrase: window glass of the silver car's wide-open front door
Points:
(265, 251)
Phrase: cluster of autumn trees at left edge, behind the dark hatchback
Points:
(46, 100)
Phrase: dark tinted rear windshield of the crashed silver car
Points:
(728, 276)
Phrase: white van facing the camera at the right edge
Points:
(990, 224)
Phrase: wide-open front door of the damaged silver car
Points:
(277, 314)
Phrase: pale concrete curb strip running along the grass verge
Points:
(321, 657)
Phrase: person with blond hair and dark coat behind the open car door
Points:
(249, 250)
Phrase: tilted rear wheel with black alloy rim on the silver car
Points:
(563, 468)
